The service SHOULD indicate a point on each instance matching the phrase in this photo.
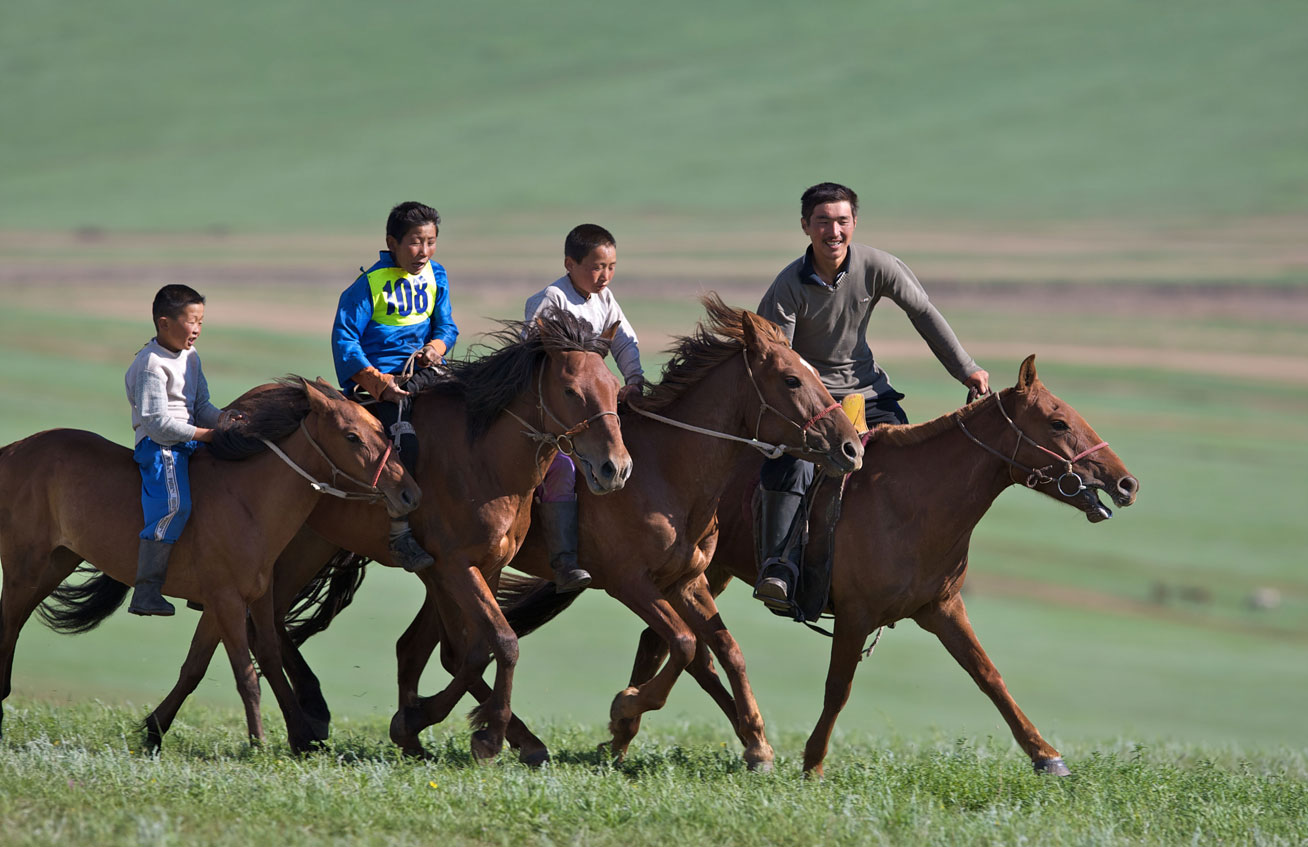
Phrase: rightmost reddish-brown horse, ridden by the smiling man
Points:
(902, 543)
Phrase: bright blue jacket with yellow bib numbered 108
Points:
(385, 316)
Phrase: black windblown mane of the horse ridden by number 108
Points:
(491, 382)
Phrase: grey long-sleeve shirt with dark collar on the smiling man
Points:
(829, 326)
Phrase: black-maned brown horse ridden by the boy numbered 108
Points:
(487, 437)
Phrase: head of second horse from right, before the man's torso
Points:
(795, 408)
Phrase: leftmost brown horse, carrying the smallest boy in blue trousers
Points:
(71, 496)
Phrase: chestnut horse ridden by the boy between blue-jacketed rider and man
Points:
(649, 544)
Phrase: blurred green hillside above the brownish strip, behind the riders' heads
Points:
(250, 117)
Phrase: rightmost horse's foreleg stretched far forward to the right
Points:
(949, 622)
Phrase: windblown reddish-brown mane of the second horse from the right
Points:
(717, 338)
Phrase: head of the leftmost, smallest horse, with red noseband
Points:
(354, 442)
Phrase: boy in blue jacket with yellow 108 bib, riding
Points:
(396, 310)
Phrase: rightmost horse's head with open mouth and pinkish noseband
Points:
(1065, 457)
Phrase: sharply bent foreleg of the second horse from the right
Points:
(625, 714)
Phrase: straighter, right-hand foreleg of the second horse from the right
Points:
(703, 618)
